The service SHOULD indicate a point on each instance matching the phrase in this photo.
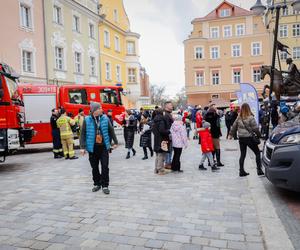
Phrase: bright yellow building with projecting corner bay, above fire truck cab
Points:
(119, 57)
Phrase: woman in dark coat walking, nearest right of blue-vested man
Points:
(130, 125)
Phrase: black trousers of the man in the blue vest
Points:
(100, 155)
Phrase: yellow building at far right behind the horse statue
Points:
(288, 34)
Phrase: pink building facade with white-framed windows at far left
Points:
(22, 40)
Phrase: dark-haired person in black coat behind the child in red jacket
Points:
(214, 119)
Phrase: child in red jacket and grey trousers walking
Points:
(207, 146)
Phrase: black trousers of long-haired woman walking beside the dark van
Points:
(248, 142)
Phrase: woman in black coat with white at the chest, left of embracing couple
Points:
(146, 138)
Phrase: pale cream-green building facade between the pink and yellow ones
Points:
(72, 41)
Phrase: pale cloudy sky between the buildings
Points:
(163, 26)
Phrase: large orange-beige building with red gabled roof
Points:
(227, 47)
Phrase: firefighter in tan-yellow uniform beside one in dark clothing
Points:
(64, 124)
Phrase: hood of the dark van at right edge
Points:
(286, 128)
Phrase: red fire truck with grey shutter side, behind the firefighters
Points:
(39, 100)
